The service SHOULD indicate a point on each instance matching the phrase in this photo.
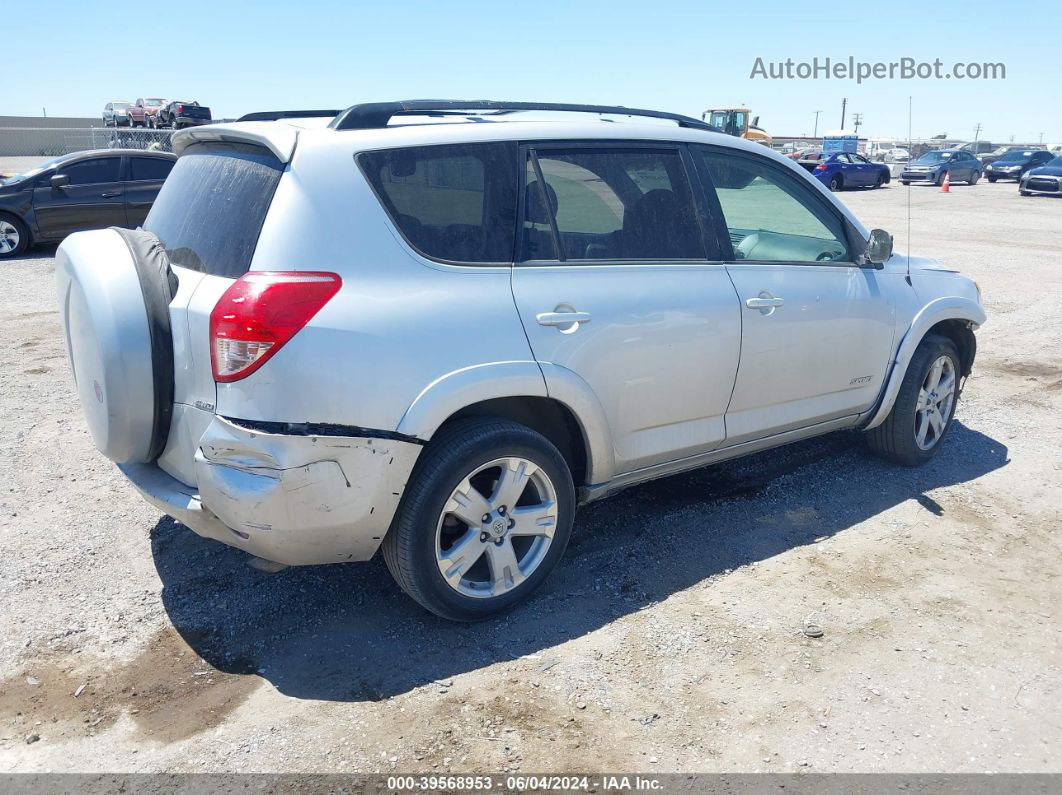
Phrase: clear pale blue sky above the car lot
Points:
(667, 55)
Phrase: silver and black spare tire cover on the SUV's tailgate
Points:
(114, 305)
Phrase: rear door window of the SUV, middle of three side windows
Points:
(615, 204)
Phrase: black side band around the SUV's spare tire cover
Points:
(159, 285)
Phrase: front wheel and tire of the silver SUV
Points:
(926, 406)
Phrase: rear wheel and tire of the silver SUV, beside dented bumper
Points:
(485, 520)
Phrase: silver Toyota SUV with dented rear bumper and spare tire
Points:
(438, 327)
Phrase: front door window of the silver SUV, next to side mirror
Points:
(769, 215)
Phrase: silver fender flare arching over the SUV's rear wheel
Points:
(455, 391)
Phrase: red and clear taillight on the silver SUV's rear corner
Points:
(259, 314)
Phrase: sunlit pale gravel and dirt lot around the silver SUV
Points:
(670, 641)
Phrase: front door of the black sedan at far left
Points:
(94, 200)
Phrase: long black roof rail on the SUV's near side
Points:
(378, 115)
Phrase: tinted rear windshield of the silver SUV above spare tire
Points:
(210, 213)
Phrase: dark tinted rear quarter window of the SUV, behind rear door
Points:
(453, 203)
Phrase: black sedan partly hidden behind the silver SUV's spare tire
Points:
(88, 191)
